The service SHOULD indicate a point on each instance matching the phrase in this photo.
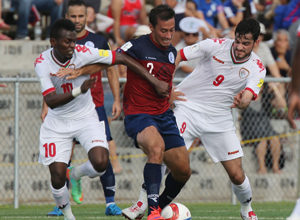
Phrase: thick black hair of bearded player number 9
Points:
(247, 26)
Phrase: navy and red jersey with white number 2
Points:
(139, 95)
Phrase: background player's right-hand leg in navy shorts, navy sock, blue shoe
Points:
(108, 178)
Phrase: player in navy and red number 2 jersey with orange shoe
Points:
(148, 119)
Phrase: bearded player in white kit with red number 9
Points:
(229, 76)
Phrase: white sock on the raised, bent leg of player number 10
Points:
(85, 169)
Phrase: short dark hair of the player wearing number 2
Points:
(163, 12)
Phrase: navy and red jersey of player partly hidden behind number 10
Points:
(100, 42)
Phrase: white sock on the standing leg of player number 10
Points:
(61, 197)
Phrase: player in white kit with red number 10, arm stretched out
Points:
(71, 111)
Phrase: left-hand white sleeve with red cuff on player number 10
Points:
(44, 77)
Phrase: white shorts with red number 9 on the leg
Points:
(221, 146)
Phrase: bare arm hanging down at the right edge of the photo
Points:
(294, 97)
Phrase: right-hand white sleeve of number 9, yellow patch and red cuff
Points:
(256, 79)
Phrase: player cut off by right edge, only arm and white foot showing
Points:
(294, 107)
